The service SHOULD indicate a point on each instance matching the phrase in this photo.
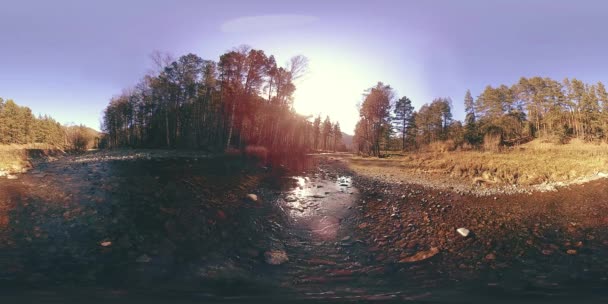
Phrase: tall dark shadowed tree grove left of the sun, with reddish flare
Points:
(243, 99)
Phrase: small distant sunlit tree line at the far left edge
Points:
(19, 126)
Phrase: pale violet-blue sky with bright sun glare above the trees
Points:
(68, 58)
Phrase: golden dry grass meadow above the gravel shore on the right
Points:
(530, 164)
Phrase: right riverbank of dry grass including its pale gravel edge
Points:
(532, 167)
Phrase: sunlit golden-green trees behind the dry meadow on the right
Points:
(499, 117)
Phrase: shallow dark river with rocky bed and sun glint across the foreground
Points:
(189, 226)
